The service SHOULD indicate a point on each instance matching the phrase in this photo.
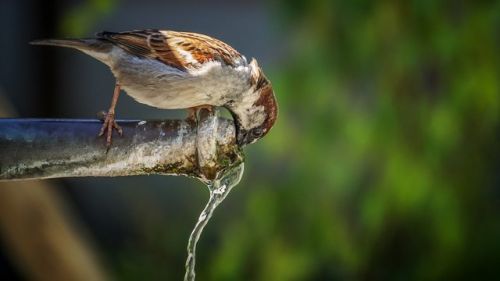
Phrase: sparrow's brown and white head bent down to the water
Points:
(256, 113)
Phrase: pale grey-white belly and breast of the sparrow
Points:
(153, 83)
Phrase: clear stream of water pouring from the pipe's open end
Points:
(219, 189)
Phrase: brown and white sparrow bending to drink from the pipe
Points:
(182, 70)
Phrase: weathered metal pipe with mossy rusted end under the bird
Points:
(53, 148)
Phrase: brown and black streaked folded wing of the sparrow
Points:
(181, 50)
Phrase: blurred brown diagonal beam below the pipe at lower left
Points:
(41, 235)
